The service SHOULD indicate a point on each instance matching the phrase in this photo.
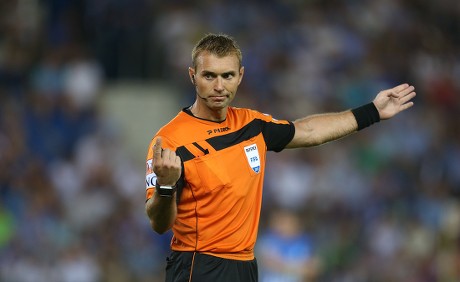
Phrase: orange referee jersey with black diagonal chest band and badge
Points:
(219, 202)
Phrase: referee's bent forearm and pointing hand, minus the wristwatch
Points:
(162, 210)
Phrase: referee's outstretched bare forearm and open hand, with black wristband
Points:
(318, 129)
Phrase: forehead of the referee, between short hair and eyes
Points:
(210, 62)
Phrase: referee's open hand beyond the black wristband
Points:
(392, 101)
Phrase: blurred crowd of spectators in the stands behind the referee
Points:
(381, 205)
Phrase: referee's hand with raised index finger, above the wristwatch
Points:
(166, 164)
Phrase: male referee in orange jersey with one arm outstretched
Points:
(205, 168)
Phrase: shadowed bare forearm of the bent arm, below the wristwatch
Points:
(162, 212)
